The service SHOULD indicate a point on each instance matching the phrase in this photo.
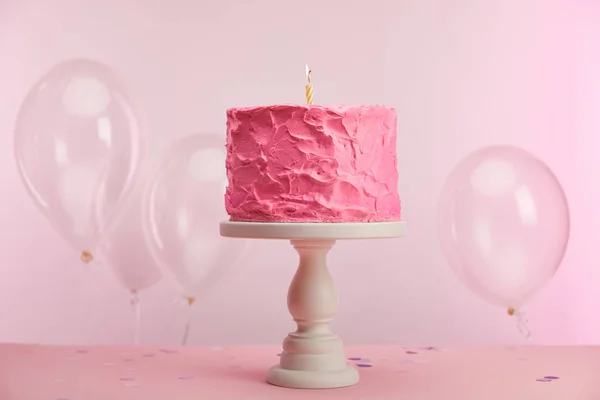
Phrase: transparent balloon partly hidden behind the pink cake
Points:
(183, 208)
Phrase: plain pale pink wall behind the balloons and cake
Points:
(462, 74)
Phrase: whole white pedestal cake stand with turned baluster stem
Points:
(313, 356)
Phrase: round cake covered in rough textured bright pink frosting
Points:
(311, 163)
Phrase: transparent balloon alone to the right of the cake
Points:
(503, 224)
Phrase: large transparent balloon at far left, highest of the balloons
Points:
(73, 126)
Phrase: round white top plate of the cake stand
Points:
(312, 230)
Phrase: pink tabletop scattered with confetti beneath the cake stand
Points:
(30, 372)
